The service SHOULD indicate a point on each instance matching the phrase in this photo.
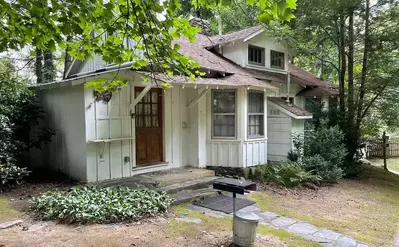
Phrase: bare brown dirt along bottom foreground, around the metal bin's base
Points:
(144, 234)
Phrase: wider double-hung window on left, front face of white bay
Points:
(223, 113)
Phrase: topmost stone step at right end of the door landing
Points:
(182, 176)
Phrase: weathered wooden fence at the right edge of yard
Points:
(375, 147)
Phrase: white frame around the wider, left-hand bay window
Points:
(224, 114)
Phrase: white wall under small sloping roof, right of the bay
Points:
(279, 135)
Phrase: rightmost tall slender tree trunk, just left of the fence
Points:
(362, 88)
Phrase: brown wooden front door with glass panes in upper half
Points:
(149, 145)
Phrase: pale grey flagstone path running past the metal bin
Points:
(308, 231)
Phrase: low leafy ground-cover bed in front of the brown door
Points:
(99, 205)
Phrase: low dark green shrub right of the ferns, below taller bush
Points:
(329, 173)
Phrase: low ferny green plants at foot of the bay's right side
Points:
(289, 174)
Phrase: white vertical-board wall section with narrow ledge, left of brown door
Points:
(106, 160)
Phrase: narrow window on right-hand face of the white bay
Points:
(255, 114)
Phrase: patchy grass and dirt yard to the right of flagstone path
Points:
(366, 209)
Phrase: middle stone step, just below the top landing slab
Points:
(194, 184)
